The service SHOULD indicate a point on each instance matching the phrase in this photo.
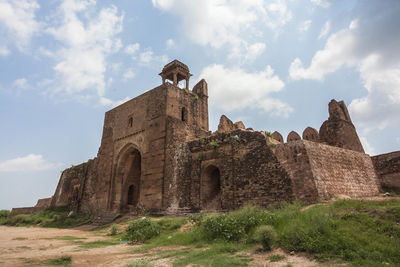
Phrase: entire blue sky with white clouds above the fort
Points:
(273, 64)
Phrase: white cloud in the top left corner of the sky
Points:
(18, 19)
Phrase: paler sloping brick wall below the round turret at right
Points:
(339, 171)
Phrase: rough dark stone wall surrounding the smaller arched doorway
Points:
(249, 171)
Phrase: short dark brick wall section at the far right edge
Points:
(387, 167)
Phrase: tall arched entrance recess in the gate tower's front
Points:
(127, 180)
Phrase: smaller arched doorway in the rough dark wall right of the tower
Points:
(211, 188)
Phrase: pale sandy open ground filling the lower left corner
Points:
(27, 246)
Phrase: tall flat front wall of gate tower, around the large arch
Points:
(138, 123)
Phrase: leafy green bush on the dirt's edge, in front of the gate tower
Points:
(141, 230)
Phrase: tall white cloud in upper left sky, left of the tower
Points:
(86, 43)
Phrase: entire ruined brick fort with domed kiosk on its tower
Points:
(157, 153)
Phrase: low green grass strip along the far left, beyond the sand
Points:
(57, 218)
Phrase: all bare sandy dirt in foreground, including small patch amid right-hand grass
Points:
(32, 246)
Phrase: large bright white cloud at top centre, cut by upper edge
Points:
(228, 23)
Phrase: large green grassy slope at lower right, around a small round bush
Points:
(360, 233)
